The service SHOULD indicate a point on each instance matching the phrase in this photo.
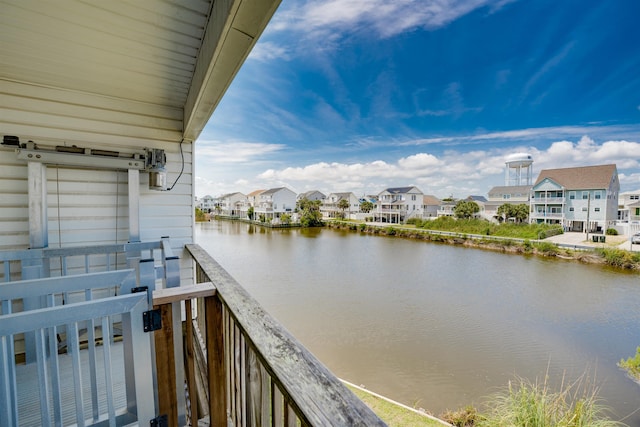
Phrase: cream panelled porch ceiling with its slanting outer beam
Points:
(172, 59)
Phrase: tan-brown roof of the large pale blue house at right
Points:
(585, 177)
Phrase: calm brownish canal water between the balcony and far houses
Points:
(438, 326)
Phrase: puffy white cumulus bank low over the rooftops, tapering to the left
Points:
(457, 172)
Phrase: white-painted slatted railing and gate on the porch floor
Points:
(55, 301)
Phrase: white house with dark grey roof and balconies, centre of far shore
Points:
(398, 204)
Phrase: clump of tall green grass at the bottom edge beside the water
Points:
(533, 404)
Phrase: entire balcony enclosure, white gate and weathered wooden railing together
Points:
(102, 329)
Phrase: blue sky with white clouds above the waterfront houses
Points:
(361, 95)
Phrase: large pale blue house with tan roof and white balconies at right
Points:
(580, 199)
